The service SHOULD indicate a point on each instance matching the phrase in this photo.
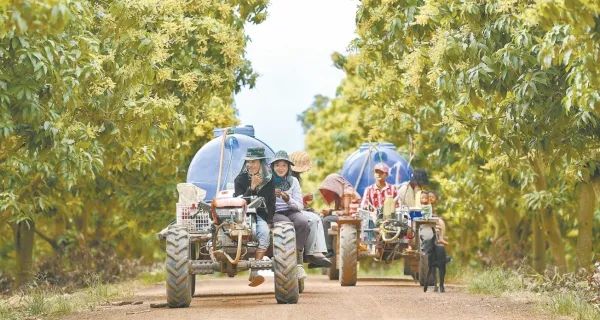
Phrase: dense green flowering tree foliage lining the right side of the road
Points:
(496, 95)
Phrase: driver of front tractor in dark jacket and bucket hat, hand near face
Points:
(255, 179)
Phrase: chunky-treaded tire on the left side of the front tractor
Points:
(179, 282)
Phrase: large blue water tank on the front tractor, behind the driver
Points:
(204, 168)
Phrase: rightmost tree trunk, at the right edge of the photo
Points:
(587, 206)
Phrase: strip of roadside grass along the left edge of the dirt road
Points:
(51, 303)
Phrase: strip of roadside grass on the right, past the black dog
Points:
(558, 299)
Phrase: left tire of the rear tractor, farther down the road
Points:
(348, 254)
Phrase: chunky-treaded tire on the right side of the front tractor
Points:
(285, 264)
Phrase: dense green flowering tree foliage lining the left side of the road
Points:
(102, 104)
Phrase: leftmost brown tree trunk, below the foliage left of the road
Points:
(24, 240)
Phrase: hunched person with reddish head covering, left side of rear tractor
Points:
(333, 189)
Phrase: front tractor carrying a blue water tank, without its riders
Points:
(214, 232)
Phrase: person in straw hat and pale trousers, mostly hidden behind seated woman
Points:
(316, 244)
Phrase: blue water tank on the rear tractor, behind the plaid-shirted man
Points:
(359, 166)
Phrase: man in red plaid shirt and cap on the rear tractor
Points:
(375, 194)
